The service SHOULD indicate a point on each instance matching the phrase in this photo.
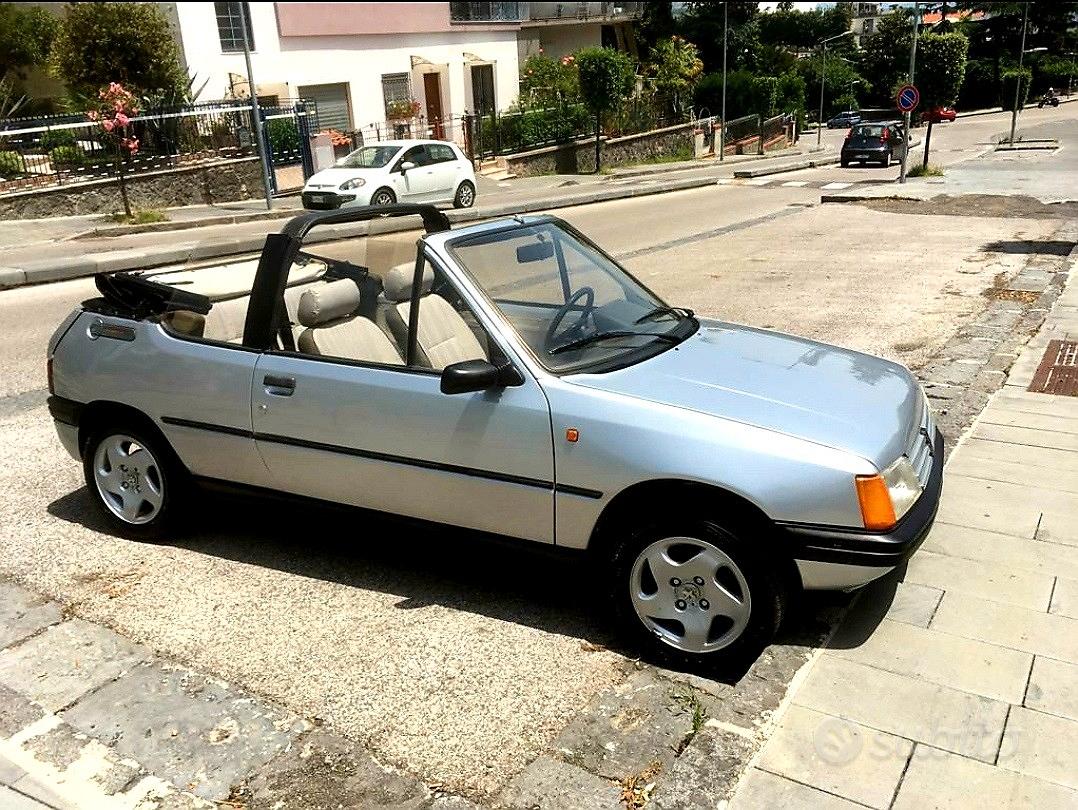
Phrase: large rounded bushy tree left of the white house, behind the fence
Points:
(130, 44)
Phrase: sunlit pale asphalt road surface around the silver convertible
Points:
(458, 661)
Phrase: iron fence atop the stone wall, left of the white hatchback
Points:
(58, 150)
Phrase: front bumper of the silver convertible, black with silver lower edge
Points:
(875, 553)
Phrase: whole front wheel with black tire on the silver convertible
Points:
(748, 591)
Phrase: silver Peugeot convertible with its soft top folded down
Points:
(509, 378)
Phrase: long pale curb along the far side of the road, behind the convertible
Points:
(59, 270)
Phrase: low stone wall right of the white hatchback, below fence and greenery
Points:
(579, 157)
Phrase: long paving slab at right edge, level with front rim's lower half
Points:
(1030, 631)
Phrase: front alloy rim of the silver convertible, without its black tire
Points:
(690, 594)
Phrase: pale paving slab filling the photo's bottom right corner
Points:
(937, 779)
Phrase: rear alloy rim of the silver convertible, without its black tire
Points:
(129, 479)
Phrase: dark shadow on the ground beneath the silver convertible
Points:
(549, 589)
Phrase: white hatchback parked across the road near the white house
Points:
(395, 172)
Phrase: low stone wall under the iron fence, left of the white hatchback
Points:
(217, 183)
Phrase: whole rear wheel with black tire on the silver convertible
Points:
(134, 479)
